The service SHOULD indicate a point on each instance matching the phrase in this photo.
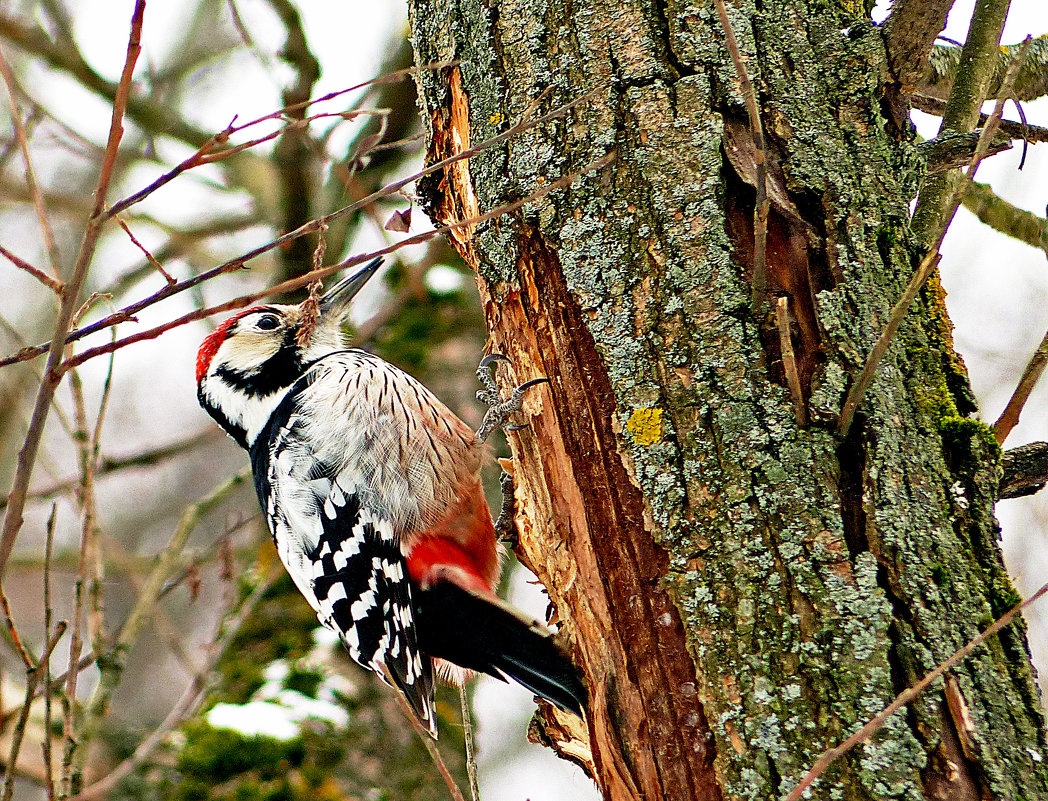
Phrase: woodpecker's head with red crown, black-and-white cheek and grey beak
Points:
(247, 365)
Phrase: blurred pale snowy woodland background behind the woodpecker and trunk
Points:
(289, 717)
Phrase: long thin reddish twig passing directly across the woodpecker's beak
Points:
(296, 284)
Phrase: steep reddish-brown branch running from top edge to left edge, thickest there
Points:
(28, 456)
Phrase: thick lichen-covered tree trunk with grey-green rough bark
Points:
(740, 592)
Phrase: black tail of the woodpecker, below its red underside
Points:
(485, 636)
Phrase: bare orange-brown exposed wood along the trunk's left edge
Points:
(649, 737)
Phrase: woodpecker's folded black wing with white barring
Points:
(340, 549)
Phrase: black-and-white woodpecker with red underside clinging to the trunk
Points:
(372, 490)
